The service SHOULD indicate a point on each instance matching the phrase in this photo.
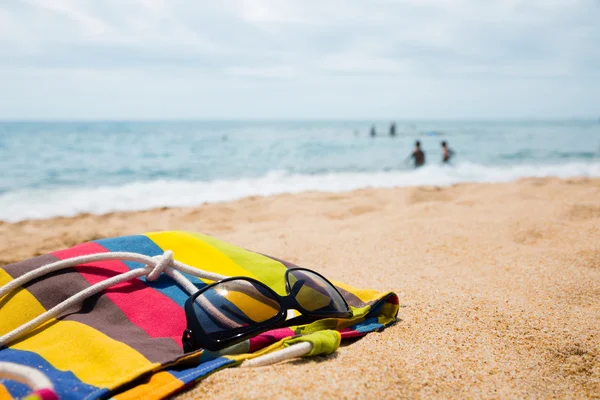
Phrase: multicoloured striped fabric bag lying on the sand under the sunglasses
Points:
(126, 343)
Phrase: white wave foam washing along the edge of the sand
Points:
(38, 203)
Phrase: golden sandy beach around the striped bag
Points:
(499, 284)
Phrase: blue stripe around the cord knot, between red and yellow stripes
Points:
(144, 245)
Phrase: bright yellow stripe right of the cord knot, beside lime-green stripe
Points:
(192, 251)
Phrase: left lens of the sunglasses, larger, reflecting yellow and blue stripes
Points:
(234, 308)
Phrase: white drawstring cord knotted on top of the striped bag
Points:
(154, 267)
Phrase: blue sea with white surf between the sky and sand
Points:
(64, 168)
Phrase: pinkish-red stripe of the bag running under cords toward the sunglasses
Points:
(147, 308)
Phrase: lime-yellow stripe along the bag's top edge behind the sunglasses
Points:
(270, 272)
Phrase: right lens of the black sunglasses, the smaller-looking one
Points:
(314, 293)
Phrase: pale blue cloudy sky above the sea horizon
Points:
(280, 59)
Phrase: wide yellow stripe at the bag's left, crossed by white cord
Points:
(93, 357)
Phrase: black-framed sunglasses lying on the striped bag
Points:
(232, 310)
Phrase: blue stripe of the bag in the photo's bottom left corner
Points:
(66, 384)
